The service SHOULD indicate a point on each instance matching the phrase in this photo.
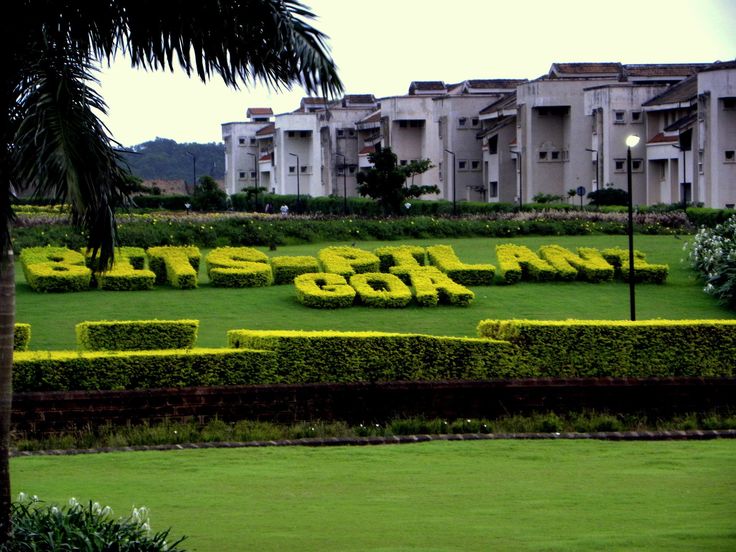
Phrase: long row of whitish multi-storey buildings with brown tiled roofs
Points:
(502, 140)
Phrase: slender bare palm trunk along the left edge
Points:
(7, 329)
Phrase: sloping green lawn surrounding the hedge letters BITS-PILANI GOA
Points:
(53, 316)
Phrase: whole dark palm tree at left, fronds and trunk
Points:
(53, 141)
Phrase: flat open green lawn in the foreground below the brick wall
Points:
(440, 496)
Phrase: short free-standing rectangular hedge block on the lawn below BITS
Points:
(136, 335)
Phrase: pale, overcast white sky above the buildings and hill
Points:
(380, 46)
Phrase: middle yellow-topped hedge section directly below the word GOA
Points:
(326, 356)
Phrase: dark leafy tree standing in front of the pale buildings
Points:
(386, 180)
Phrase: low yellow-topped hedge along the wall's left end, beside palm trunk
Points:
(70, 370)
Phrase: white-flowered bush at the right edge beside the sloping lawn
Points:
(713, 256)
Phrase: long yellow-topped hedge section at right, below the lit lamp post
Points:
(587, 348)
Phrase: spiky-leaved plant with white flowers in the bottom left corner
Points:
(39, 526)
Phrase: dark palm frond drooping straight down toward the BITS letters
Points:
(61, 148)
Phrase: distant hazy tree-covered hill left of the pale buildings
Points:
(165, 159)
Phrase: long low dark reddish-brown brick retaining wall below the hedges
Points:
(46, 412)
